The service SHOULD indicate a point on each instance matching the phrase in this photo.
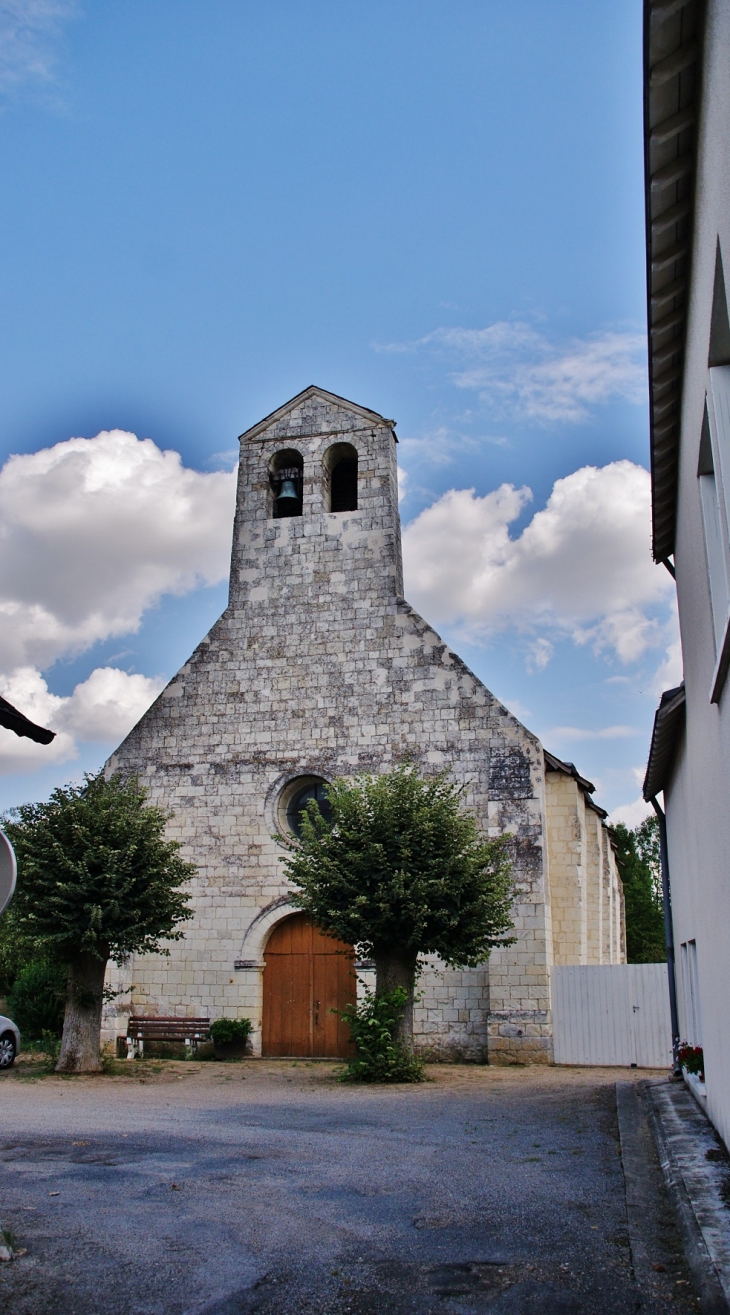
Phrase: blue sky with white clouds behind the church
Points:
(435, 210)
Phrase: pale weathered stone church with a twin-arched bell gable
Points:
(320, 669)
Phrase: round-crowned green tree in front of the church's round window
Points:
(402, 870)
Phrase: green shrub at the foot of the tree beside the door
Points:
(381, 1058)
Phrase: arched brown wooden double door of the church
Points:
(307, 978)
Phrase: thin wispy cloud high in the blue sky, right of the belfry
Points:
(514, 365)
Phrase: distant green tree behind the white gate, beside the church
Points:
(641, 873)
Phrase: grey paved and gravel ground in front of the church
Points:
(265, 1187)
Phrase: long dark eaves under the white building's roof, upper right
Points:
(673, 59)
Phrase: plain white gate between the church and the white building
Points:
(612, 1015)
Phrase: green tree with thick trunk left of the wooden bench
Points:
(97, 882)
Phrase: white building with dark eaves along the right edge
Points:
(689, 239)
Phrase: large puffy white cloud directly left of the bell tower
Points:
(93, 533)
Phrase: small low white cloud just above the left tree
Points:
(103, 709)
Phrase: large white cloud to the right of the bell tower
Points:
(581, 569)
